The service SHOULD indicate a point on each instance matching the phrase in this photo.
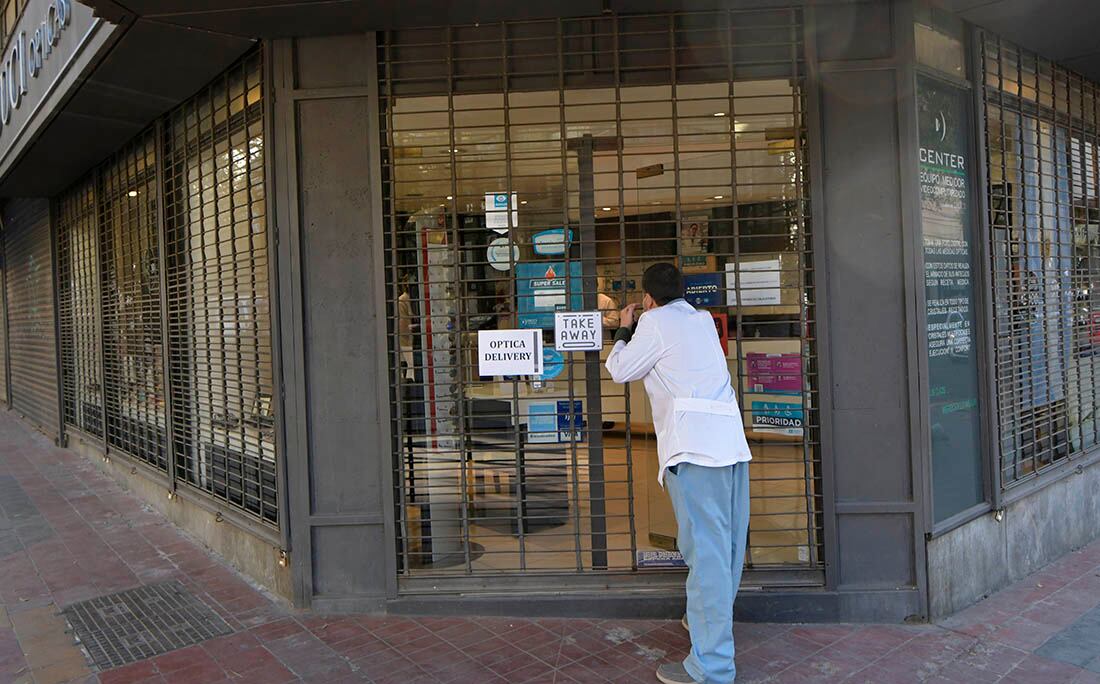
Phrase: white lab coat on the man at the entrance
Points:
(676, 350)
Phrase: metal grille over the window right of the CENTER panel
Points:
(1043, 130)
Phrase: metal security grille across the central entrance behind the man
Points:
(541, 167)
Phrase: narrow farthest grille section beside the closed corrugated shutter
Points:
(78, 235)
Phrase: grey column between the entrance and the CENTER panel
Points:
(867, 245)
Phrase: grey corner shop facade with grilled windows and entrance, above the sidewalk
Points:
(254, 258)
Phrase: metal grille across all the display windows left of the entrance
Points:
(122, 285)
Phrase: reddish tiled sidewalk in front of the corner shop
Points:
(69, 533)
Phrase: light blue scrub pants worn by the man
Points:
(712, 508)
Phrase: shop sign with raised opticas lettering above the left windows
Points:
(28, 51)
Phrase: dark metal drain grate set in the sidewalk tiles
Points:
(142, 623)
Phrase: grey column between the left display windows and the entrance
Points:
(333, 322)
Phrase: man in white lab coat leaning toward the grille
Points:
(703, 460)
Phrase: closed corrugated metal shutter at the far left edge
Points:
(32, 336)
